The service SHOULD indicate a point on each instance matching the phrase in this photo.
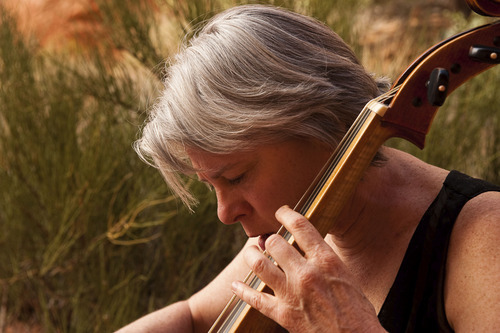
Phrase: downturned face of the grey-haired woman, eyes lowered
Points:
(250, 186)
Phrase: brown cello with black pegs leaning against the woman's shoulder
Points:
(406, 111)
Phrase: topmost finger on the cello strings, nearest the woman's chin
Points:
(307, 237)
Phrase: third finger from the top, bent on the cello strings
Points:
(264, 268)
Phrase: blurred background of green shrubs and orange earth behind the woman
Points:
(90, 237)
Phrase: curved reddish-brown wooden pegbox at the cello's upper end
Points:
(410, 113)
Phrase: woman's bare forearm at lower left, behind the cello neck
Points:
(198, 313)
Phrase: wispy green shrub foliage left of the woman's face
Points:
(91, 237)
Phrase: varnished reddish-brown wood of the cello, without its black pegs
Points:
(407, 115)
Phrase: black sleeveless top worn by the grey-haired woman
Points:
(415, 301)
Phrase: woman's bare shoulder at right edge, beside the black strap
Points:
(472, 287)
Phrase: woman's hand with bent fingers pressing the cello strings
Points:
(313, 292)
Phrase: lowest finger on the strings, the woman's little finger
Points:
(263, 302)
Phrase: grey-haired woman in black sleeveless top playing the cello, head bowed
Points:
(254, 106)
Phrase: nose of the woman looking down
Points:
(231, 207)
